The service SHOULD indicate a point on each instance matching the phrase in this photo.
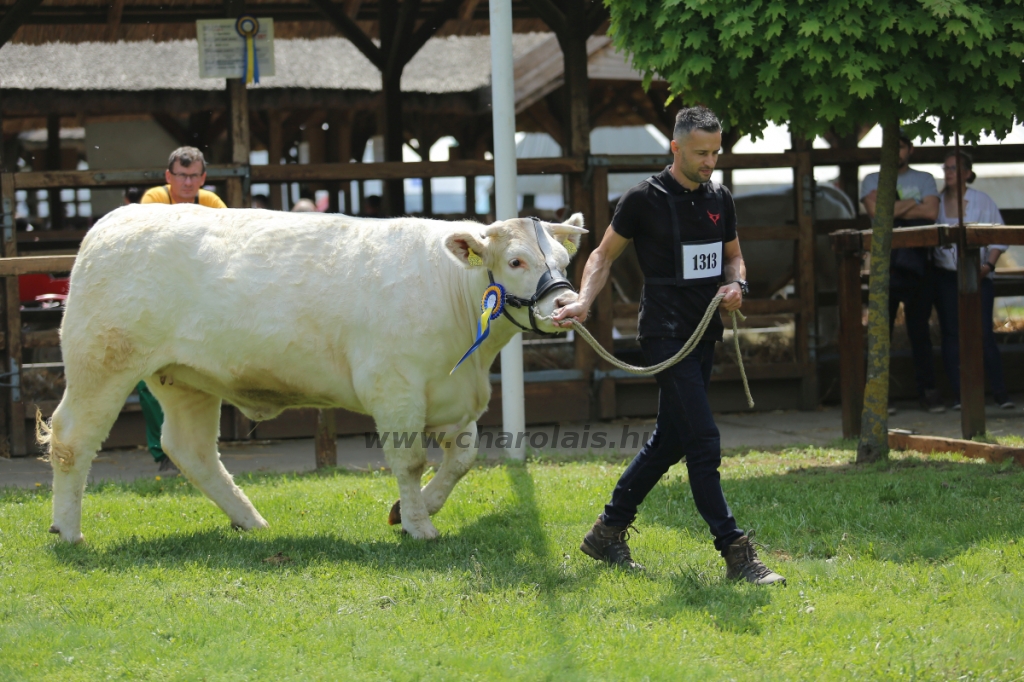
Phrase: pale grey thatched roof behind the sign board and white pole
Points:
(444, 66)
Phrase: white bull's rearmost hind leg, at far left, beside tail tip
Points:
(76, 432)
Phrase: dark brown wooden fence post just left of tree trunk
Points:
(851, 343)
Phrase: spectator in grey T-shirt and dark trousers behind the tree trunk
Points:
(910, 276)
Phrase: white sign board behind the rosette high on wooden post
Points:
(223, 51)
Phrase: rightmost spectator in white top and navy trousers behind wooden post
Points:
(978, 208)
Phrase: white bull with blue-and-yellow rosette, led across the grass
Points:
(274, 311)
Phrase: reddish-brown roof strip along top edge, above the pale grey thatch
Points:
(93, 21)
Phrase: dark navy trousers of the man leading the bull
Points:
(686, 430)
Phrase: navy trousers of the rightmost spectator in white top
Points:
(947, 304)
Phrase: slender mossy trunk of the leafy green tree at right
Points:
(875, 420)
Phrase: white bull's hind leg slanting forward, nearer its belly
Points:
(192, 423)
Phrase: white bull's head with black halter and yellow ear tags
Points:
(529, 259)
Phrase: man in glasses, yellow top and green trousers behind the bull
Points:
(186, 176)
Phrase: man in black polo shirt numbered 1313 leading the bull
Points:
(685, 229)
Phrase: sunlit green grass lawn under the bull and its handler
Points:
(910, 570)
